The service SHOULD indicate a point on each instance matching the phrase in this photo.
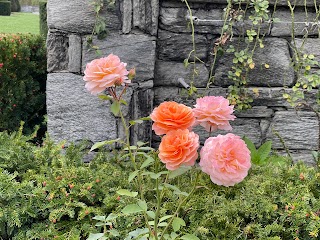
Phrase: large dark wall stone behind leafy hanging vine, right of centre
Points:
(275, 53)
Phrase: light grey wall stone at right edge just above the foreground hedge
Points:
(299, 130)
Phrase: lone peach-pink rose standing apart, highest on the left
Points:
(105, 72)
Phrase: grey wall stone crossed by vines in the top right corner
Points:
(301, 26)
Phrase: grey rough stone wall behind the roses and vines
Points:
(153, 36)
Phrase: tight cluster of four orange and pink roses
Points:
(225, 158)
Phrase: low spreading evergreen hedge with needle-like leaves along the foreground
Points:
(58, 196)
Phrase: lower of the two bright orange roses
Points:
(179, 147)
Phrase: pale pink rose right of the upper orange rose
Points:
(213, 113)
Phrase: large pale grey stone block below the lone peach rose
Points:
(74, 114)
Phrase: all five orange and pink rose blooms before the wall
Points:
(225, 158)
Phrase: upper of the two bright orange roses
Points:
(171, 116)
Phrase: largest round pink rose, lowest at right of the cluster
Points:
(226, 159)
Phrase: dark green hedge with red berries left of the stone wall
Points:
(23, 81)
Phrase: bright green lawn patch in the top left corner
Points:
(20, 23)
